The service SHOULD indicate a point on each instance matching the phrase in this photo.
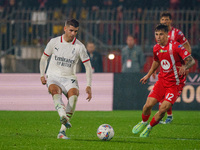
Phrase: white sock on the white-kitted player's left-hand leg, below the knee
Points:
(59, 105)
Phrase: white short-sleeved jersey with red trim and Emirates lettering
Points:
(65, 56)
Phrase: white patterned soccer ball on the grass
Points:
(105, 132)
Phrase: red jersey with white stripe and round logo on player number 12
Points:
(170, 58)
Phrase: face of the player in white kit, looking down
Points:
(70, 32)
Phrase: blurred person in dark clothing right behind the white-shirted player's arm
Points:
(95, 58)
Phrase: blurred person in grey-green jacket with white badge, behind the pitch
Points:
(132, 56)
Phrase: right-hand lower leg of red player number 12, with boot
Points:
(157, 117)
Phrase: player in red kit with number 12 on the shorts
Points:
(168, 54)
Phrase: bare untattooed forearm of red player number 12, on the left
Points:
(153, 68)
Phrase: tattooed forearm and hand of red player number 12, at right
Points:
(189, 62)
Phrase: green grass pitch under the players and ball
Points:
(38, 131)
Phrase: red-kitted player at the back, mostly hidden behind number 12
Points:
(176, 35)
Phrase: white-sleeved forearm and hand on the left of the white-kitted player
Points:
(43, 65)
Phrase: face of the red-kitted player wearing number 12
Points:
(161, 37)
